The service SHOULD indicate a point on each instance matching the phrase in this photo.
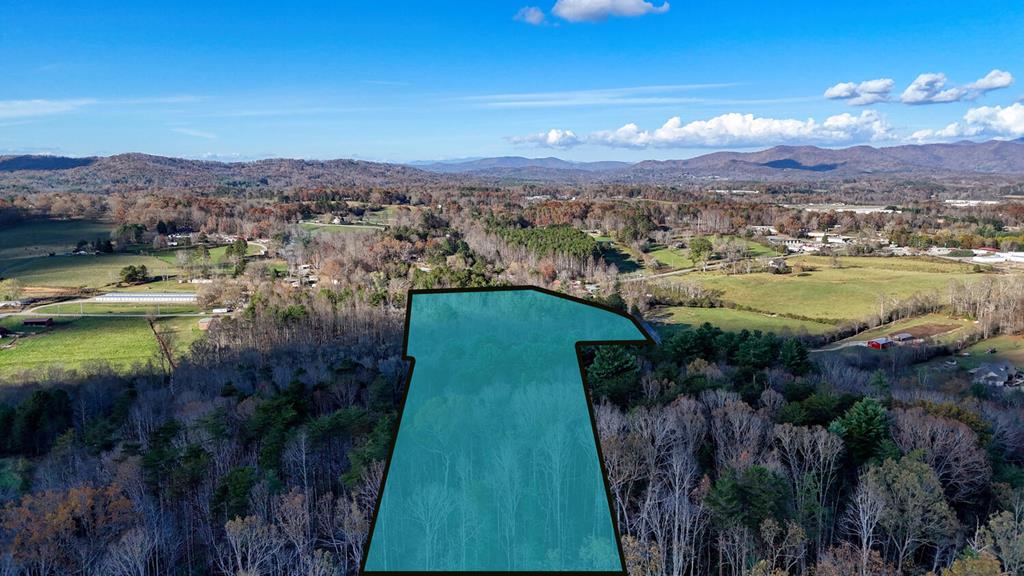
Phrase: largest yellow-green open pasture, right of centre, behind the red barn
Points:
(834, 295)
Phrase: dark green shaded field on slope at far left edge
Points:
(39, 238)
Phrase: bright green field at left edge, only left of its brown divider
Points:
(75, 344)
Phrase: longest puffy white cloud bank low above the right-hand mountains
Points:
(728, 131)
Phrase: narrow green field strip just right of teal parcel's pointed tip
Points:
(735, 321)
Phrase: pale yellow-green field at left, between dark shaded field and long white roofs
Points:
(90, 272)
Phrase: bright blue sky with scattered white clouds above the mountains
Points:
(581, 79)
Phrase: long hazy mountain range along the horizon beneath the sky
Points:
(784, 163)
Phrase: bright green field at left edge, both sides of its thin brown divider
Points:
(79, 343)
